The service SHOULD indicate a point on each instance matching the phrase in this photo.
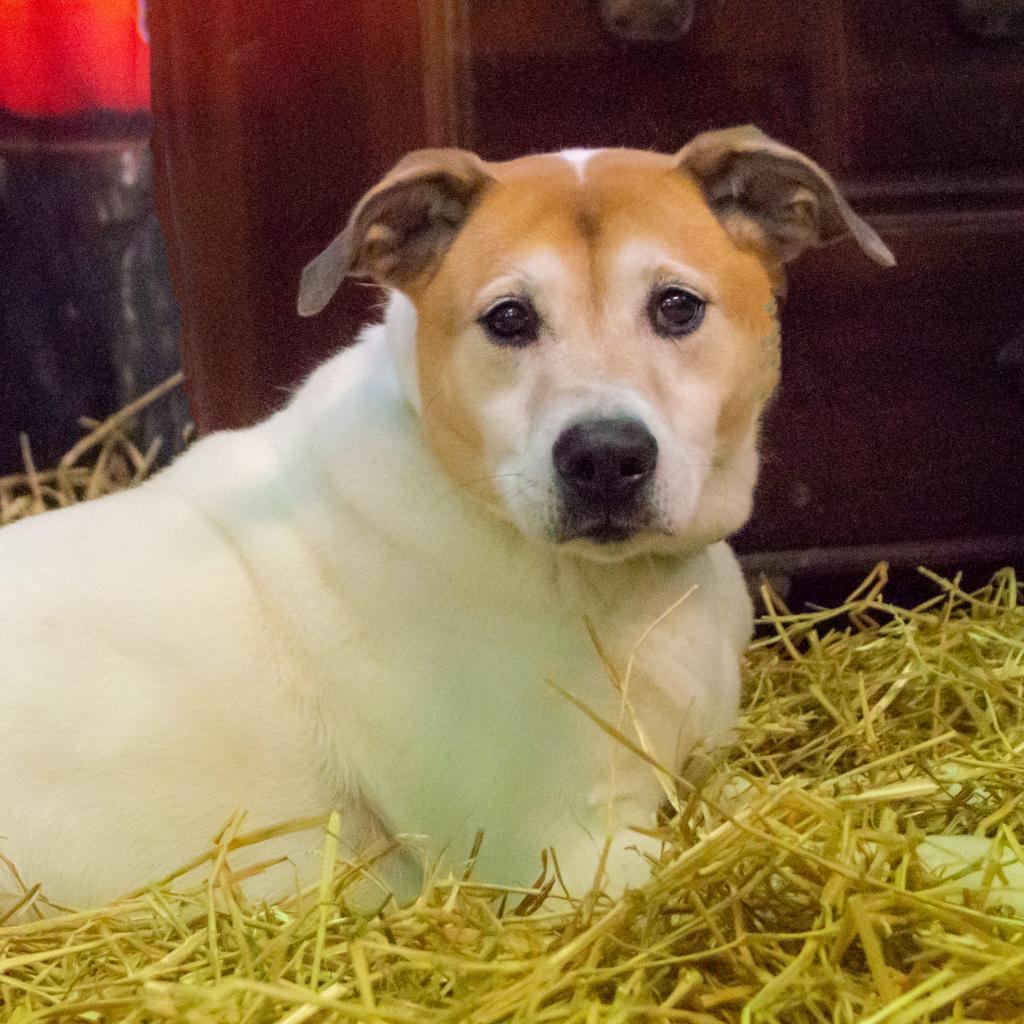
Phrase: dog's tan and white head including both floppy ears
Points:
(596, 332)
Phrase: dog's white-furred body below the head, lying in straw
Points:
(309, 616)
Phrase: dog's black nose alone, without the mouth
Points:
(606, 463)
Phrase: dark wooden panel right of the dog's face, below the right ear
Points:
(895, 422)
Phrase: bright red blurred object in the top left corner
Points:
(65, 57)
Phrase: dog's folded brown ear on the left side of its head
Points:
(402, 228)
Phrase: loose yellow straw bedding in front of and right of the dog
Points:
(797, 886)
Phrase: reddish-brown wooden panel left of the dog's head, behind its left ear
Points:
(271, 120)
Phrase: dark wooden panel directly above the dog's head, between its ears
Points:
(547, 76)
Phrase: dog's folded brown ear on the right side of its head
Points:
(772, 196)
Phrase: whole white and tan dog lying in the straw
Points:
(360, 604)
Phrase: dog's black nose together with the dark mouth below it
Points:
(605, 470)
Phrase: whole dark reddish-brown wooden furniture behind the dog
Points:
(899, 431)
